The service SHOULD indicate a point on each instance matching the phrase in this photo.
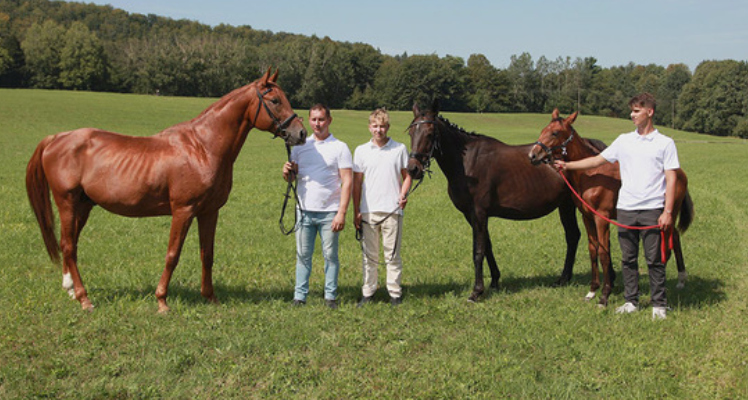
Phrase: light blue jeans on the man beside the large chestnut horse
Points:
(310, 223)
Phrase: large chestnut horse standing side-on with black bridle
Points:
(185, 171)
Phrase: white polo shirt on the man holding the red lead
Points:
(643, 161)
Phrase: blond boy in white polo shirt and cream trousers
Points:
(380, 186)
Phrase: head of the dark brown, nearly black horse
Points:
(423, 139)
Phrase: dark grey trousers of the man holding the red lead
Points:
(651, 241)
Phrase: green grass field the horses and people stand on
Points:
(527, 340)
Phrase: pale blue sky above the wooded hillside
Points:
(614, 32)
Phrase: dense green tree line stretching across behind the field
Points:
(76, 46)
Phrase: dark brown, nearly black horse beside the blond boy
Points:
(488, 178)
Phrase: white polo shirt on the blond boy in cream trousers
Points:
(382, 168)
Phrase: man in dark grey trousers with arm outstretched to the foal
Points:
(648, 161)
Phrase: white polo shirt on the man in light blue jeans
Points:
(319, 177)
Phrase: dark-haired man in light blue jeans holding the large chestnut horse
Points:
(323, 168)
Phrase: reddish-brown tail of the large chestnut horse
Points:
(37, 188)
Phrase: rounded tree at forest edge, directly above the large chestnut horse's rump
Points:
(83, 64)
